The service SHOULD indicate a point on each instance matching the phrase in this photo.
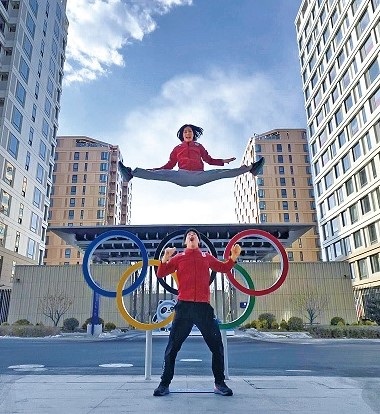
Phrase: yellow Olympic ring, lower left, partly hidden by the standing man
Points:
(120, 302)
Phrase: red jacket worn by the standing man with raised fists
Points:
(193, 274)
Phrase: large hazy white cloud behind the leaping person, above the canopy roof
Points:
(231, 107)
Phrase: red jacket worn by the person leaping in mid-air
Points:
(189, 156)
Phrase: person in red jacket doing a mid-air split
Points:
(190, 156)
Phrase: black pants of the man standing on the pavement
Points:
(202, 315)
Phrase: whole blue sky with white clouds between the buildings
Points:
(137, 70)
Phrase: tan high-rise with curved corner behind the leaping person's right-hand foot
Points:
(283, 192)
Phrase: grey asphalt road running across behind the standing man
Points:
(246, 356)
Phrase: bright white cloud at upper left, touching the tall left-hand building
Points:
(99, 29)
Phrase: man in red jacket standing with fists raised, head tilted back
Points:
(193, 306)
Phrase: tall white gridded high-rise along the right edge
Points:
(339, 44)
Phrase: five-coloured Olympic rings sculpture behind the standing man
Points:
(145, 262)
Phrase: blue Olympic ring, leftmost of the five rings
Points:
(90, 250)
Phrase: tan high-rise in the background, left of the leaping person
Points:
(88, 190)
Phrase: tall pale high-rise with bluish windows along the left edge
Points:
(33, 36)
